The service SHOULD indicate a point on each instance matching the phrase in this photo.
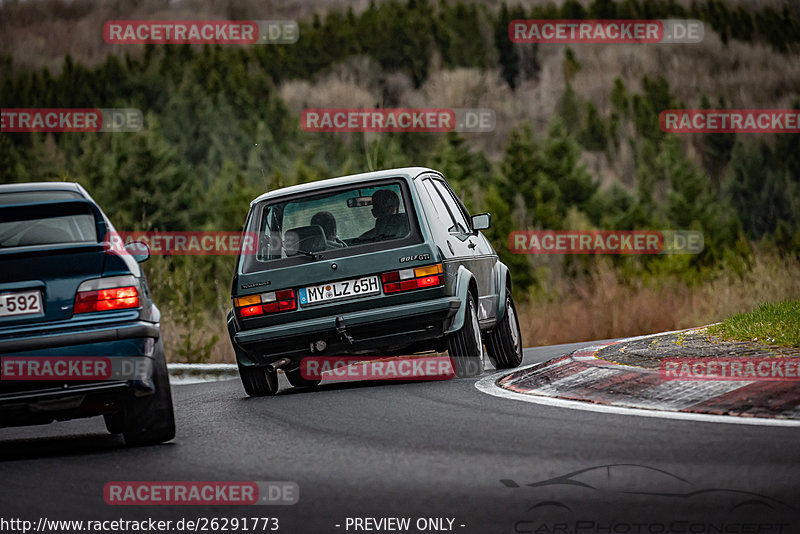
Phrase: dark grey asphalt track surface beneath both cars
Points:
(422, 449)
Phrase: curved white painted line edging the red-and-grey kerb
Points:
(488, 385)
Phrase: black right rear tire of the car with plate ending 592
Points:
(149, 420)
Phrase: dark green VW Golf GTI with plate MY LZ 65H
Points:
(381, 263)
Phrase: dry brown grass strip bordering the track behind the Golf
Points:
(601, 307)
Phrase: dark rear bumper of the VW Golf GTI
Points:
(380, 329)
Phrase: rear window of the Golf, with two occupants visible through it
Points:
(336, 222)
